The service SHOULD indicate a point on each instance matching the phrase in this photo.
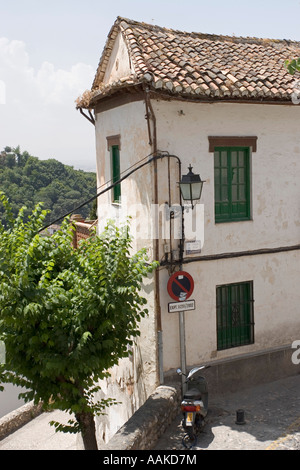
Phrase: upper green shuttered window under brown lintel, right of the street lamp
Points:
(232, 183)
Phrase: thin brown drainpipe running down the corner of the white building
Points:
(153, 142)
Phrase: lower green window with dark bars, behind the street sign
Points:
(235, 317)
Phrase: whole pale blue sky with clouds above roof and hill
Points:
(49, 53)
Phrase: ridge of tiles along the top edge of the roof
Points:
(209, 36)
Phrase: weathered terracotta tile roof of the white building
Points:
(199, 65)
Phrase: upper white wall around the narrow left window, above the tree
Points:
(129, 122)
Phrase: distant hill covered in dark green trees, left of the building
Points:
(26, 180)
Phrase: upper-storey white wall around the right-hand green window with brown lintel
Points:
(275, 167)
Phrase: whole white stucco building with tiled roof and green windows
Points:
(223, 105)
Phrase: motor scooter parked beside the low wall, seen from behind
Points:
(194, 405)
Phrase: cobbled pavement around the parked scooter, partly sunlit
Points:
(272, 420)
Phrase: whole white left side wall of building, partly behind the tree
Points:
(135, 378)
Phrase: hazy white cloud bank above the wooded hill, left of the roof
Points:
(37, 107)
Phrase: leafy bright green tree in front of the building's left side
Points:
(66, 315)
